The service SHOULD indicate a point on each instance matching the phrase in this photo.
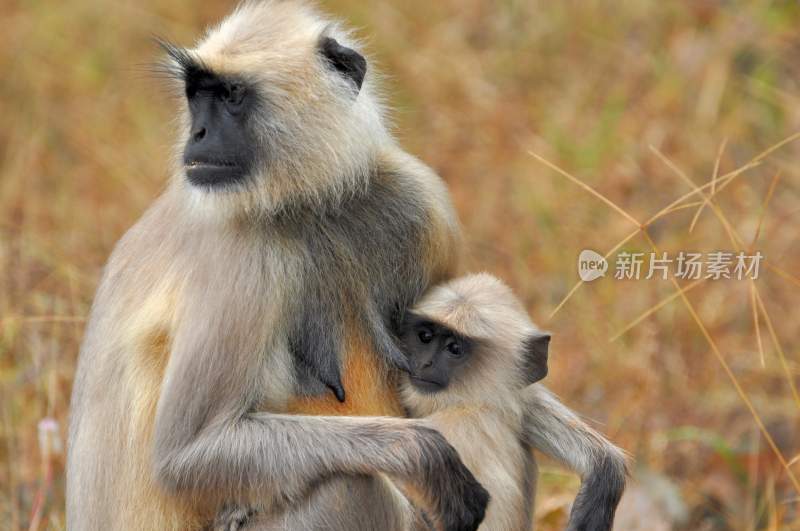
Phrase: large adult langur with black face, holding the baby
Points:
(238, 350)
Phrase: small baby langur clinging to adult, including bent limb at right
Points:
(474, 355)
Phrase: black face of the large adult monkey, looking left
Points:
(220, 149)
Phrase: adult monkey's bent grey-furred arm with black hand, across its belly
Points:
(208, 441)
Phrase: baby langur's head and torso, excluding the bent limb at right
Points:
(471, 349)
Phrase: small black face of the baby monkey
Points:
(435, 354)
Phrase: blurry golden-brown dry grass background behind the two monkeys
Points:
(599, 88)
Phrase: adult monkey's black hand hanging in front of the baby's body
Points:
(458, 498)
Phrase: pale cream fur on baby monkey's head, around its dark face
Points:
(509, 351)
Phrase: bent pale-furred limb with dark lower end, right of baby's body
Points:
(552, 428)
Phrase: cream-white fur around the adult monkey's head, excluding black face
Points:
(321, 139)
